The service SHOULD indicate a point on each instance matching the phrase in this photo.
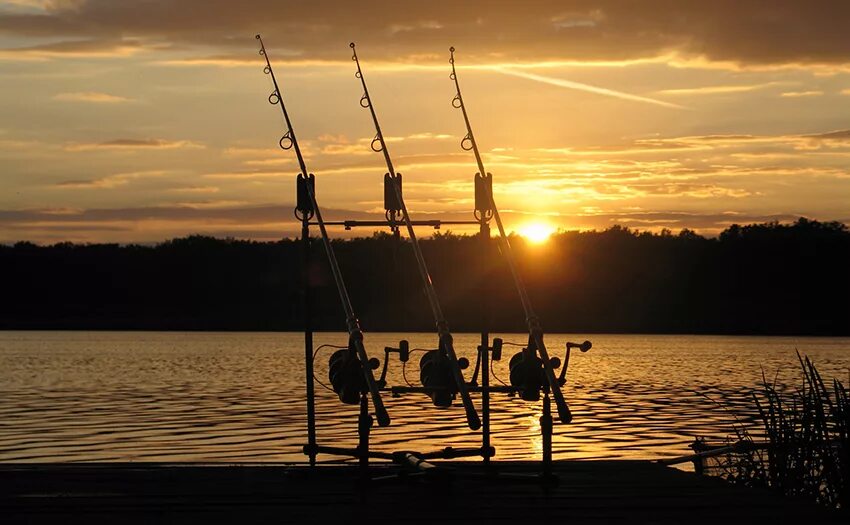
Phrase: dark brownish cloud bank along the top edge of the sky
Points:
(744, 32)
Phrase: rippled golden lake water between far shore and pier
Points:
(238, 397)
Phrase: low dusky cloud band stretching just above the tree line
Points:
(225, 218)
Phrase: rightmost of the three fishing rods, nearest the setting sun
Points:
(535, 332)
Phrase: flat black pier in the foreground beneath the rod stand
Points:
(587, 492)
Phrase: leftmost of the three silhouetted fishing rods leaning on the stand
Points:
(290, 141)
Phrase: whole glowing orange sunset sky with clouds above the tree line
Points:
(139, 121)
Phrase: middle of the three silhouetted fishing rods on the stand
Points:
(446, 343)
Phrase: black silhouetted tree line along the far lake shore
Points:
(761, 279)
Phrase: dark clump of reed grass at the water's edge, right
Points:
(802, 451)
